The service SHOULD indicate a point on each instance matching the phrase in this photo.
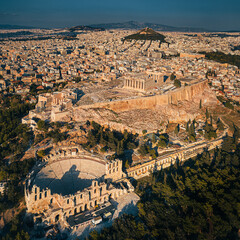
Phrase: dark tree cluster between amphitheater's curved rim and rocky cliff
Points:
(110, 140)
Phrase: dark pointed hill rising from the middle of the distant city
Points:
(146, 34)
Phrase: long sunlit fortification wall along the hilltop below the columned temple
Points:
(183, 94)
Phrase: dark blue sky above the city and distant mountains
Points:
(209, 14)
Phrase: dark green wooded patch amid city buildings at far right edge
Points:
(223, 58)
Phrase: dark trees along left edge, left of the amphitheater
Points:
(15, 138)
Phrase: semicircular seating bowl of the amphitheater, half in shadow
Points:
(69, 175)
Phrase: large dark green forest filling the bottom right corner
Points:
(198, 199)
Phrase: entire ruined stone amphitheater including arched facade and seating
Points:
(70, 181)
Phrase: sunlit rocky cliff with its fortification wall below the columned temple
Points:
(150, 113)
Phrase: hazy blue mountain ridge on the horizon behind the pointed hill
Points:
(157, 27)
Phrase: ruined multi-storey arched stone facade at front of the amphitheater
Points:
(55, 206)
